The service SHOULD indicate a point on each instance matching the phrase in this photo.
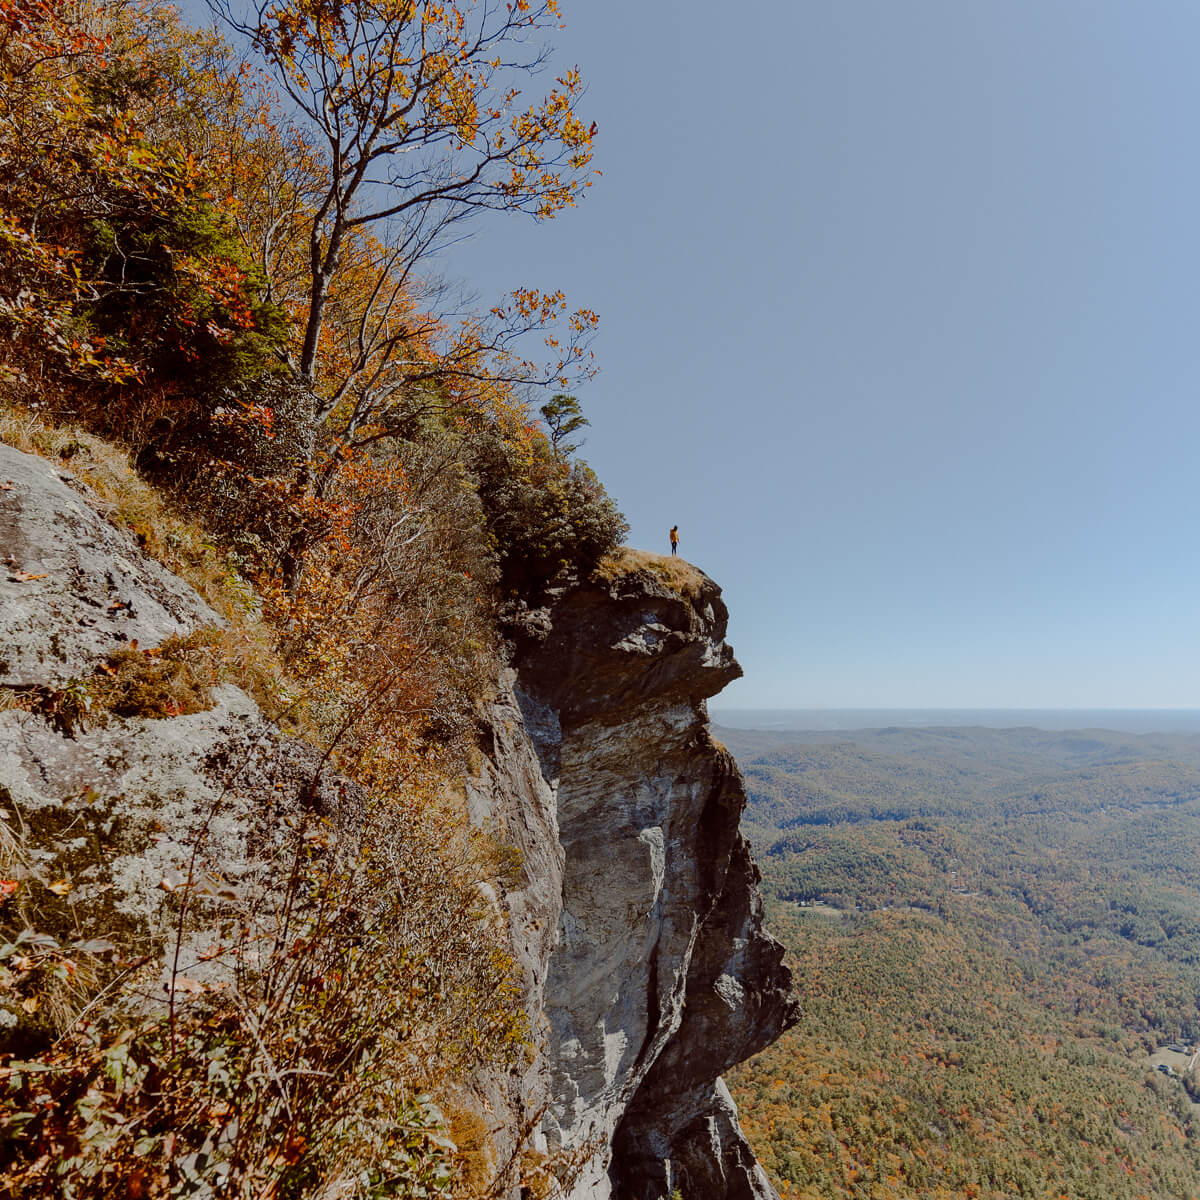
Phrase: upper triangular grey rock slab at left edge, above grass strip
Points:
(74, 589)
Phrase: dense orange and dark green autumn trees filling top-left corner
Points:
(116, 265)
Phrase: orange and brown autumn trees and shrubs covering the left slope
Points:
(219, 305)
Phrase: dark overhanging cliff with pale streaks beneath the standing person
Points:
(661, 976)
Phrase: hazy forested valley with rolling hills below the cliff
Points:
(997, 940)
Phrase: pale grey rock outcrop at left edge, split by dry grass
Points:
(119, 808)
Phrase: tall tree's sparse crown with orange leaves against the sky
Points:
(417, 113)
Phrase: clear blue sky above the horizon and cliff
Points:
(899, 325)
